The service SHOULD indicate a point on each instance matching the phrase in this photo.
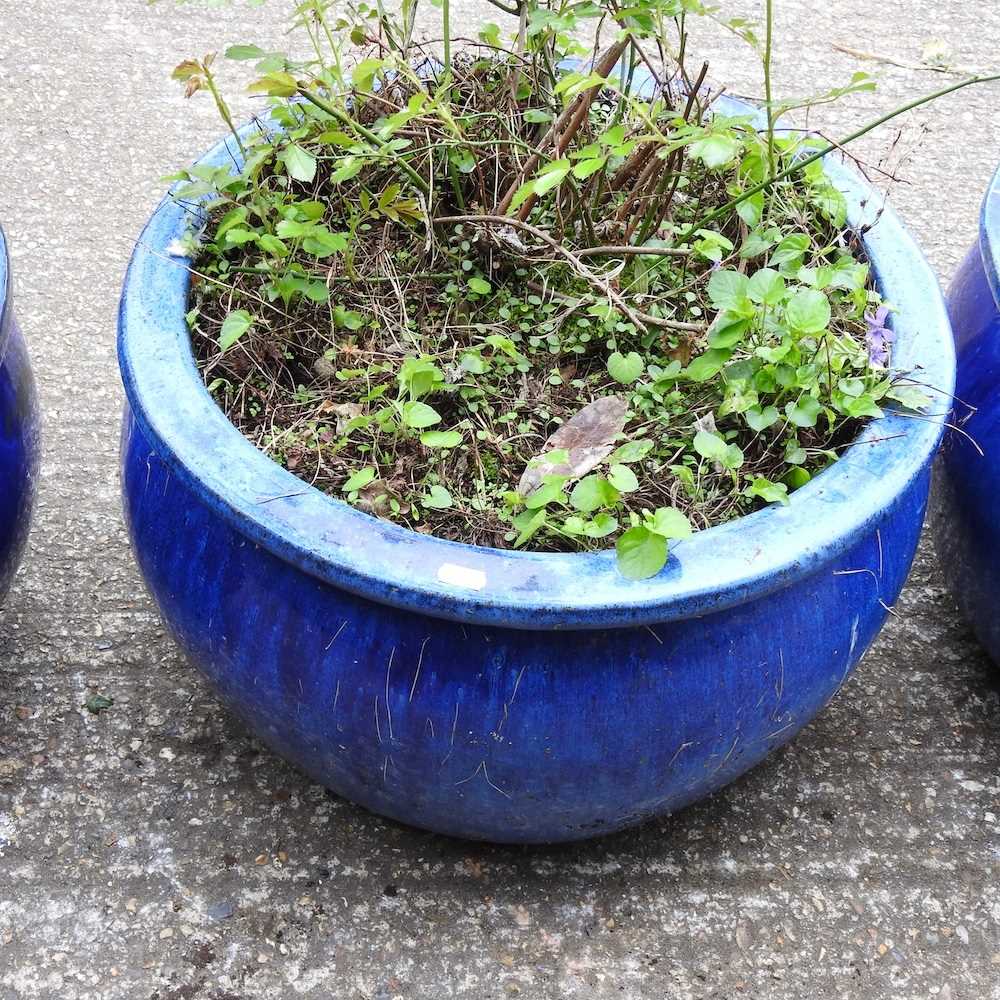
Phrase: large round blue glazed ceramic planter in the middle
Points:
(510, 696)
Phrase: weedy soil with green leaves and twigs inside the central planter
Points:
(420, 371)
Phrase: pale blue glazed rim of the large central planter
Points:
(716, 569)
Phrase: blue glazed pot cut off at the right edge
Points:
(967, 512)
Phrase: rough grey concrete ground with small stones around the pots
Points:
(158, 851)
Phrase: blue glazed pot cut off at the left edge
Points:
(18, 432)
